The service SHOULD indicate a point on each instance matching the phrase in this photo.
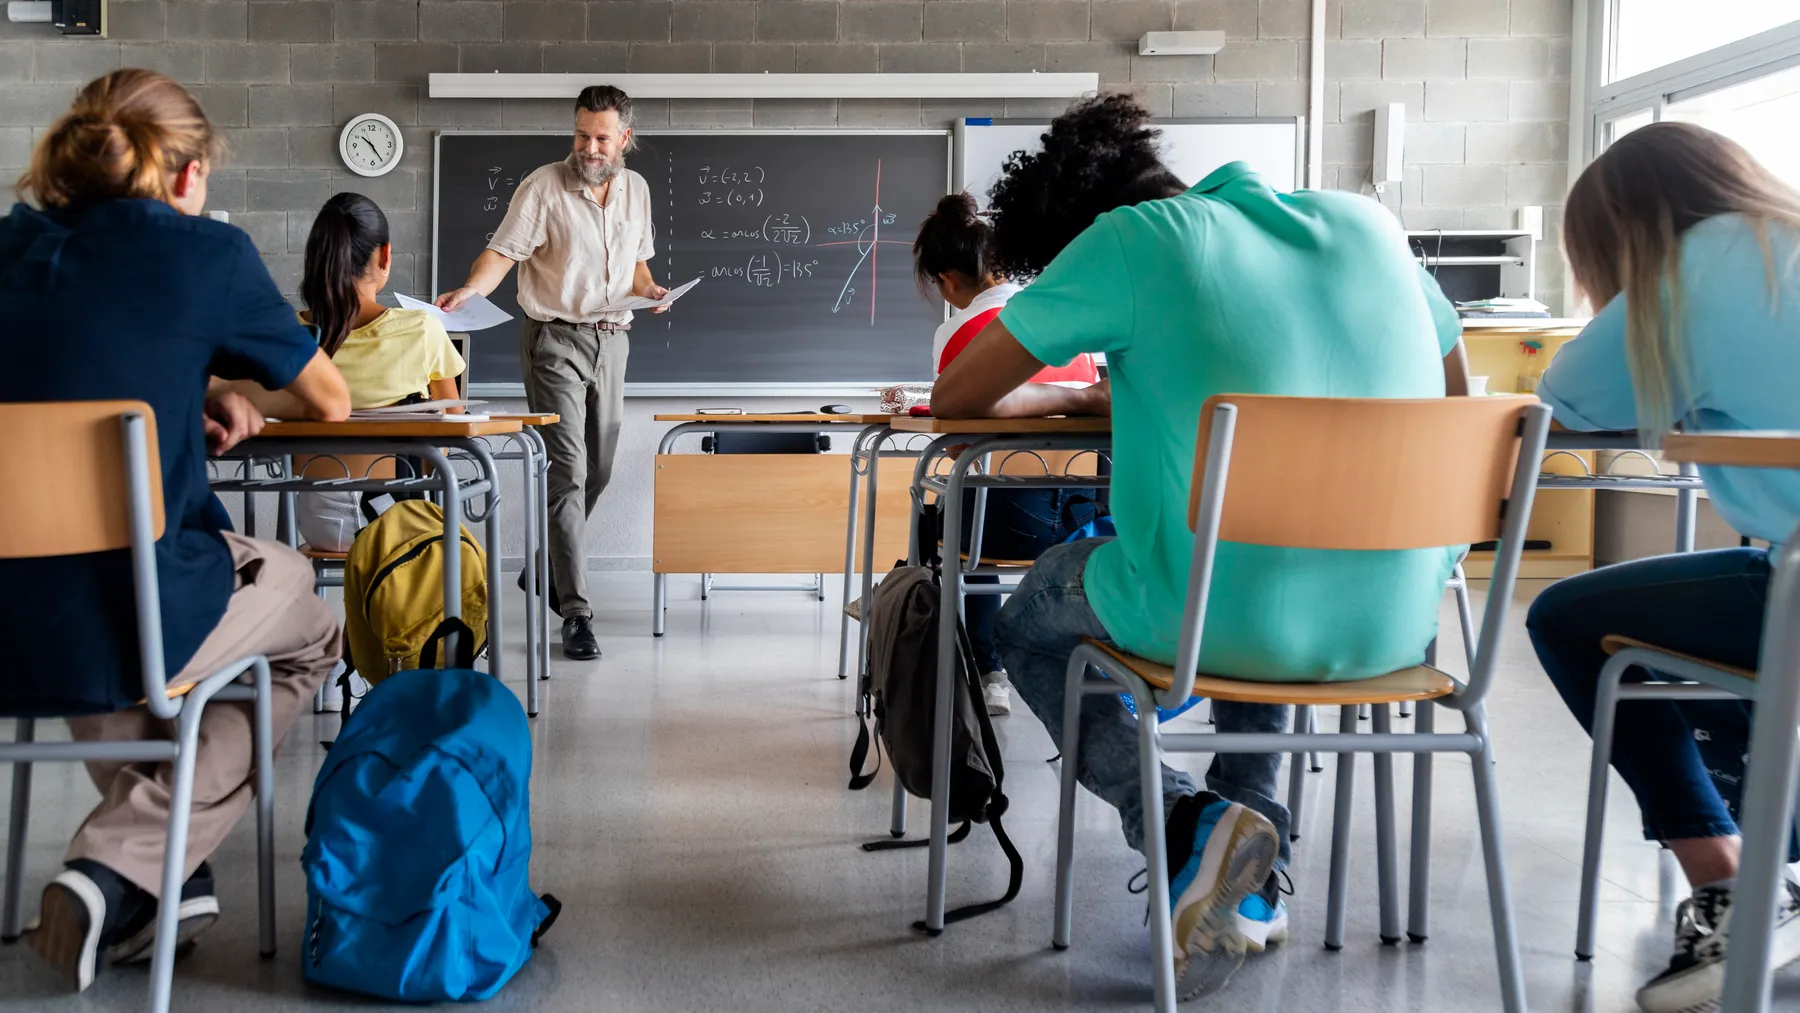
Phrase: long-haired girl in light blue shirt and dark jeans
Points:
(1693, 251)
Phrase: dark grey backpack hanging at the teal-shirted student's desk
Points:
(901, 694)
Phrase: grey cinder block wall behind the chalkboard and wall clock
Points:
(1486, 84)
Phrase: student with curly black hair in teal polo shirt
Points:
(1228, 287)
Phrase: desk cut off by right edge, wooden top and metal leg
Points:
(1770, 773)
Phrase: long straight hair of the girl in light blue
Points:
(1623, 235)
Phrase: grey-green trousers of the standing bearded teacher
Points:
(579, 373)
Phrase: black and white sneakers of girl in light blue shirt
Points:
(1695, 980)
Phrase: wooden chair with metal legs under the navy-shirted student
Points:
(85, 478)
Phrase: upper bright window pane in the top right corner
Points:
(1657, 33)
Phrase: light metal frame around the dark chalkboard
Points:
(859, 390)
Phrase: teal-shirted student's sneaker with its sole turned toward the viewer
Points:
(1219, 854)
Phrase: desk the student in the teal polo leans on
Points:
(975, 440)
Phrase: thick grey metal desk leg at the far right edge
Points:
(1770, 784)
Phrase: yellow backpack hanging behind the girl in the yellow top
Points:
(395, 593)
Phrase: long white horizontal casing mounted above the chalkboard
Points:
(769, 85)
